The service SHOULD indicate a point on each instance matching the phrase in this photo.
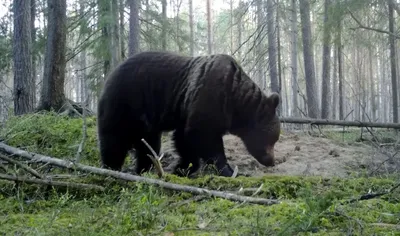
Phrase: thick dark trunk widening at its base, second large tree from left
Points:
(52, 94)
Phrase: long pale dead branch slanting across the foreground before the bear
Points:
(124, 176)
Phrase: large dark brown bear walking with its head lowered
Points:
(199, 98)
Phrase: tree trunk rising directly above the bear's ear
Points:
(272, 47)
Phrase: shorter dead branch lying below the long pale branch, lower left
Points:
(52, 183)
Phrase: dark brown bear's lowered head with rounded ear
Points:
(260, 139)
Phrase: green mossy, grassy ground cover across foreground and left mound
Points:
(310, 205)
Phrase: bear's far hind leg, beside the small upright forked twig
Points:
(143, 162)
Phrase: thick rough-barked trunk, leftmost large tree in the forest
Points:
(24, 93)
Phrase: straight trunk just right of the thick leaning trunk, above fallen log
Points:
(325, 96)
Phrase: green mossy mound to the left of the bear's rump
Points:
(51, 134)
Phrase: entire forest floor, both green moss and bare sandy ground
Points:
(325, 186)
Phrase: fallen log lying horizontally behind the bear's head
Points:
(310, 121)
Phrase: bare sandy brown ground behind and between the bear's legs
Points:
(301, 154)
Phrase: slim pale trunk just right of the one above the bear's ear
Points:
(295, 86)
